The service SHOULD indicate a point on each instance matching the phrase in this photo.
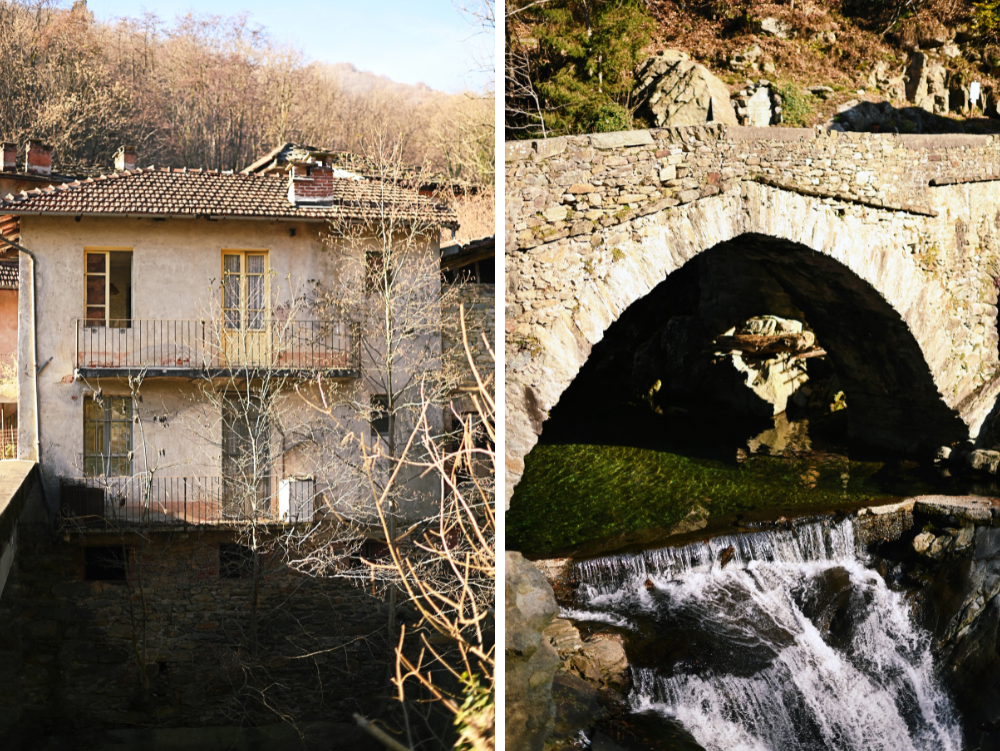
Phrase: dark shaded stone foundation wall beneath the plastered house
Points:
(71, 649)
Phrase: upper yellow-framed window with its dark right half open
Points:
(108, 287)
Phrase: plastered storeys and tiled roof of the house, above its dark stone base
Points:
(180, 276)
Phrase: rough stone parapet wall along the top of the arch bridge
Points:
(572, 185)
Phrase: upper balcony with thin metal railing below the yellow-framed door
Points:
(190, 348)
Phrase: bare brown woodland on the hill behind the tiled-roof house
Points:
(212, 92)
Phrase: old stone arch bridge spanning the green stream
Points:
(889, 244)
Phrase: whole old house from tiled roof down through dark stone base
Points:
(141, 294)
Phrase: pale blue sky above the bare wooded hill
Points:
(410, 42)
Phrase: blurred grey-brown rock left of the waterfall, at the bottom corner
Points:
(531, 661)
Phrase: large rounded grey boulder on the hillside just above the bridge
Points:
(674, 91)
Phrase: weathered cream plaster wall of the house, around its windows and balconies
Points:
(176, 272)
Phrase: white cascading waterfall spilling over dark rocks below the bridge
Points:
(761, 676)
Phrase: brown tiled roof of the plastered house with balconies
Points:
(192, 193)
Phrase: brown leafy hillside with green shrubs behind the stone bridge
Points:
(570, 64)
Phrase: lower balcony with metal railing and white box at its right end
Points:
(123, 503)
